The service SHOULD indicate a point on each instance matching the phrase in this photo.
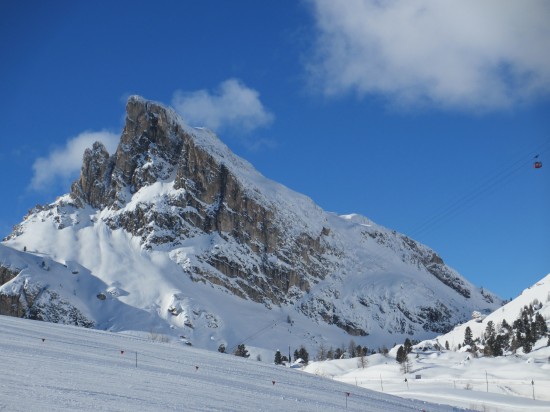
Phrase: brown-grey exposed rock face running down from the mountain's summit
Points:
(209, 198)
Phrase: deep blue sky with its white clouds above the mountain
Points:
(422, 115)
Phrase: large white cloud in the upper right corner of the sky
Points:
(467, 54)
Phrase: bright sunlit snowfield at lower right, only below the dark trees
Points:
(503, 384)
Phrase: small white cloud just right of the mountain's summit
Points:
(232, 106)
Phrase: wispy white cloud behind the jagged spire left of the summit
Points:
(63, 164)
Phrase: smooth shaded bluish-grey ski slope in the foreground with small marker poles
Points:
(52, 367)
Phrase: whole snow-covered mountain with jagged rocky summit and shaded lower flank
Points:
(175, 233)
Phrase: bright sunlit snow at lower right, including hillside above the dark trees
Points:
(512, 383)
